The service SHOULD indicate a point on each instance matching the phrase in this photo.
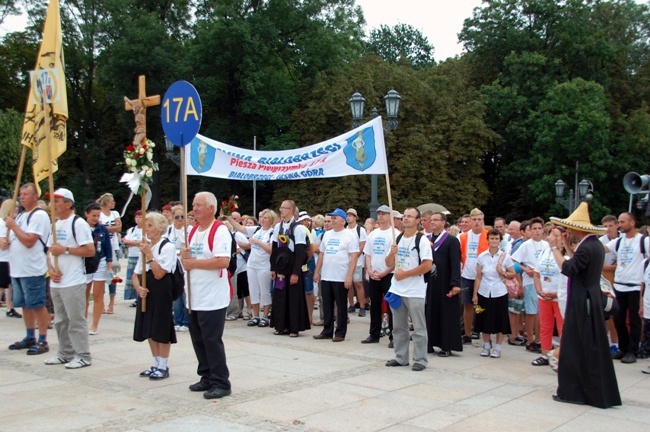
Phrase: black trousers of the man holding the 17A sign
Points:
(206, 331)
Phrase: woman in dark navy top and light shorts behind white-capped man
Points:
(96, 282)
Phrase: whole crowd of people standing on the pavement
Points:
(425, 281)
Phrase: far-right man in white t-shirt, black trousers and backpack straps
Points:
(630, 249)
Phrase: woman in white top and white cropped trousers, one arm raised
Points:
(259, 265)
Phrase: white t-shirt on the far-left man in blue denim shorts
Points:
(30, 262)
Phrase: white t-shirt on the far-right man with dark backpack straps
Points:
(629, 260)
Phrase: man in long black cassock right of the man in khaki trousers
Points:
(443, 300)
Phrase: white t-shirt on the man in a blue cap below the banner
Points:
(336, 248)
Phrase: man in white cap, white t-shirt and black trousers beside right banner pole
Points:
(376, 249)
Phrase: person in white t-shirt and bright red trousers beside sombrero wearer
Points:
(547, 280)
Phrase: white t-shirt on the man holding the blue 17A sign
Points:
(210, 288)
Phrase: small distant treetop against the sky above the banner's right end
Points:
(402, 42)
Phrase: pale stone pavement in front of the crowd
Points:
(295, 384)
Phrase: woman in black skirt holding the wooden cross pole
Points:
(156, 324)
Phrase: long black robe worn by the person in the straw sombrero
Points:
(586, 371)
